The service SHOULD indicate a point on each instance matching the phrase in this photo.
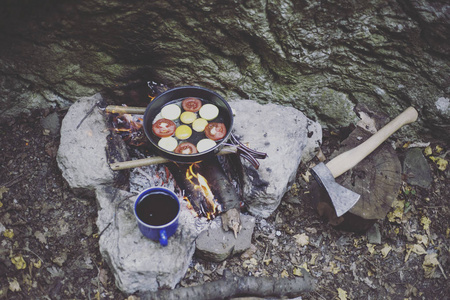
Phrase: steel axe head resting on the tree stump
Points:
(342, 198)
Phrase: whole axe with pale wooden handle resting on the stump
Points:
(342, 198)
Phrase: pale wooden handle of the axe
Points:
(351, 158)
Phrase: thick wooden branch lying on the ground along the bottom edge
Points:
(232, 286)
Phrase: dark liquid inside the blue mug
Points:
(157, 209)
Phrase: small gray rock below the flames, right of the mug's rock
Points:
(215, 244)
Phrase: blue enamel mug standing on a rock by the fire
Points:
(157, 210)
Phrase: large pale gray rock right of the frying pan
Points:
(282, 133)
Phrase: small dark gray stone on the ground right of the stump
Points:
(416, 169)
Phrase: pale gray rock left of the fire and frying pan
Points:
(82, 152)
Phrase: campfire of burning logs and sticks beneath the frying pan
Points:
(205, 185)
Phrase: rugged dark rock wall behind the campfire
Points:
(321, 57)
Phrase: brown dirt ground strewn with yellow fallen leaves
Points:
(49, 240)
